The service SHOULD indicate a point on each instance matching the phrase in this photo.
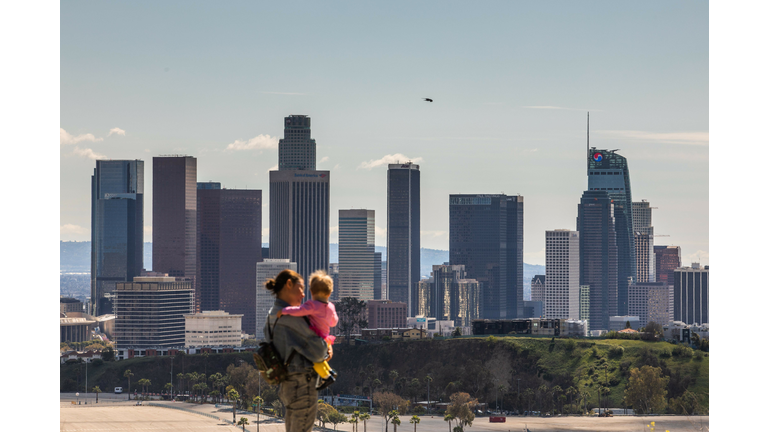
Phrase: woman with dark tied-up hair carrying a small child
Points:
(300, 347)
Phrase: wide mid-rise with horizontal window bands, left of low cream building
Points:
(149, 312)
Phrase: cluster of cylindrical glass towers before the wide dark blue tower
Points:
(449, 295)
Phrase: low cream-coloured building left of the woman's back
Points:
(212, 328)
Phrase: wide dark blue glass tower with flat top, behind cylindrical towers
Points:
(486, 236)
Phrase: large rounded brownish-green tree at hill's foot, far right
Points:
(647, 390)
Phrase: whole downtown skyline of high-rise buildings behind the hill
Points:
(209, 267)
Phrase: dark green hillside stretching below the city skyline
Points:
(470, 364)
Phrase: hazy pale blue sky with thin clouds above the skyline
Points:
(511, 83)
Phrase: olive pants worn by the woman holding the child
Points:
(299, 396)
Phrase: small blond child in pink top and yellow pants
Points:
(322, 316)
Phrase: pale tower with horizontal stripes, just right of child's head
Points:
(357, 256)
